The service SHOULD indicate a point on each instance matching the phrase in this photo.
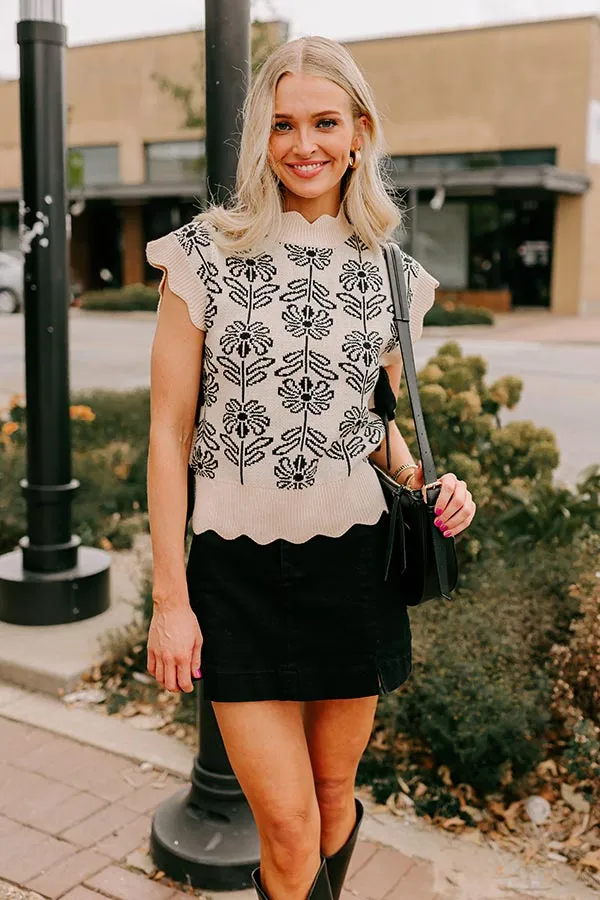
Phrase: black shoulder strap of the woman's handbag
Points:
(393, 259)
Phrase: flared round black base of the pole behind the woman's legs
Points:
(205, 841)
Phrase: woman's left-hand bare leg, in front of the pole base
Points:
(267, 749)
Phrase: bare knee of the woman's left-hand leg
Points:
(290, 836)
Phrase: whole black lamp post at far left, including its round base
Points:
(50, 579)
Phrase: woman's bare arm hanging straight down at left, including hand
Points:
(174, 639)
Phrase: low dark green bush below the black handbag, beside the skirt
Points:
(478, 699)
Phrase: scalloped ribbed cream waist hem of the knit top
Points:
(265, 514)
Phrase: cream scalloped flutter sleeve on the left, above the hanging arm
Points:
(180, 255)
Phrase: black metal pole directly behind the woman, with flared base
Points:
(205, 835)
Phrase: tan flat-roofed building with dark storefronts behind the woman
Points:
(494, 135)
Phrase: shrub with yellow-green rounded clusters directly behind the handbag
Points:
(509, 468)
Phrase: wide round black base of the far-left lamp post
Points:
(54, 598)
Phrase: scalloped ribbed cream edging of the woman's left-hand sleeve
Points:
(167, 254)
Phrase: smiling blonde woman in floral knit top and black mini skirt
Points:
(285, 320)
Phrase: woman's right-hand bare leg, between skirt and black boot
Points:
(337, 733)
